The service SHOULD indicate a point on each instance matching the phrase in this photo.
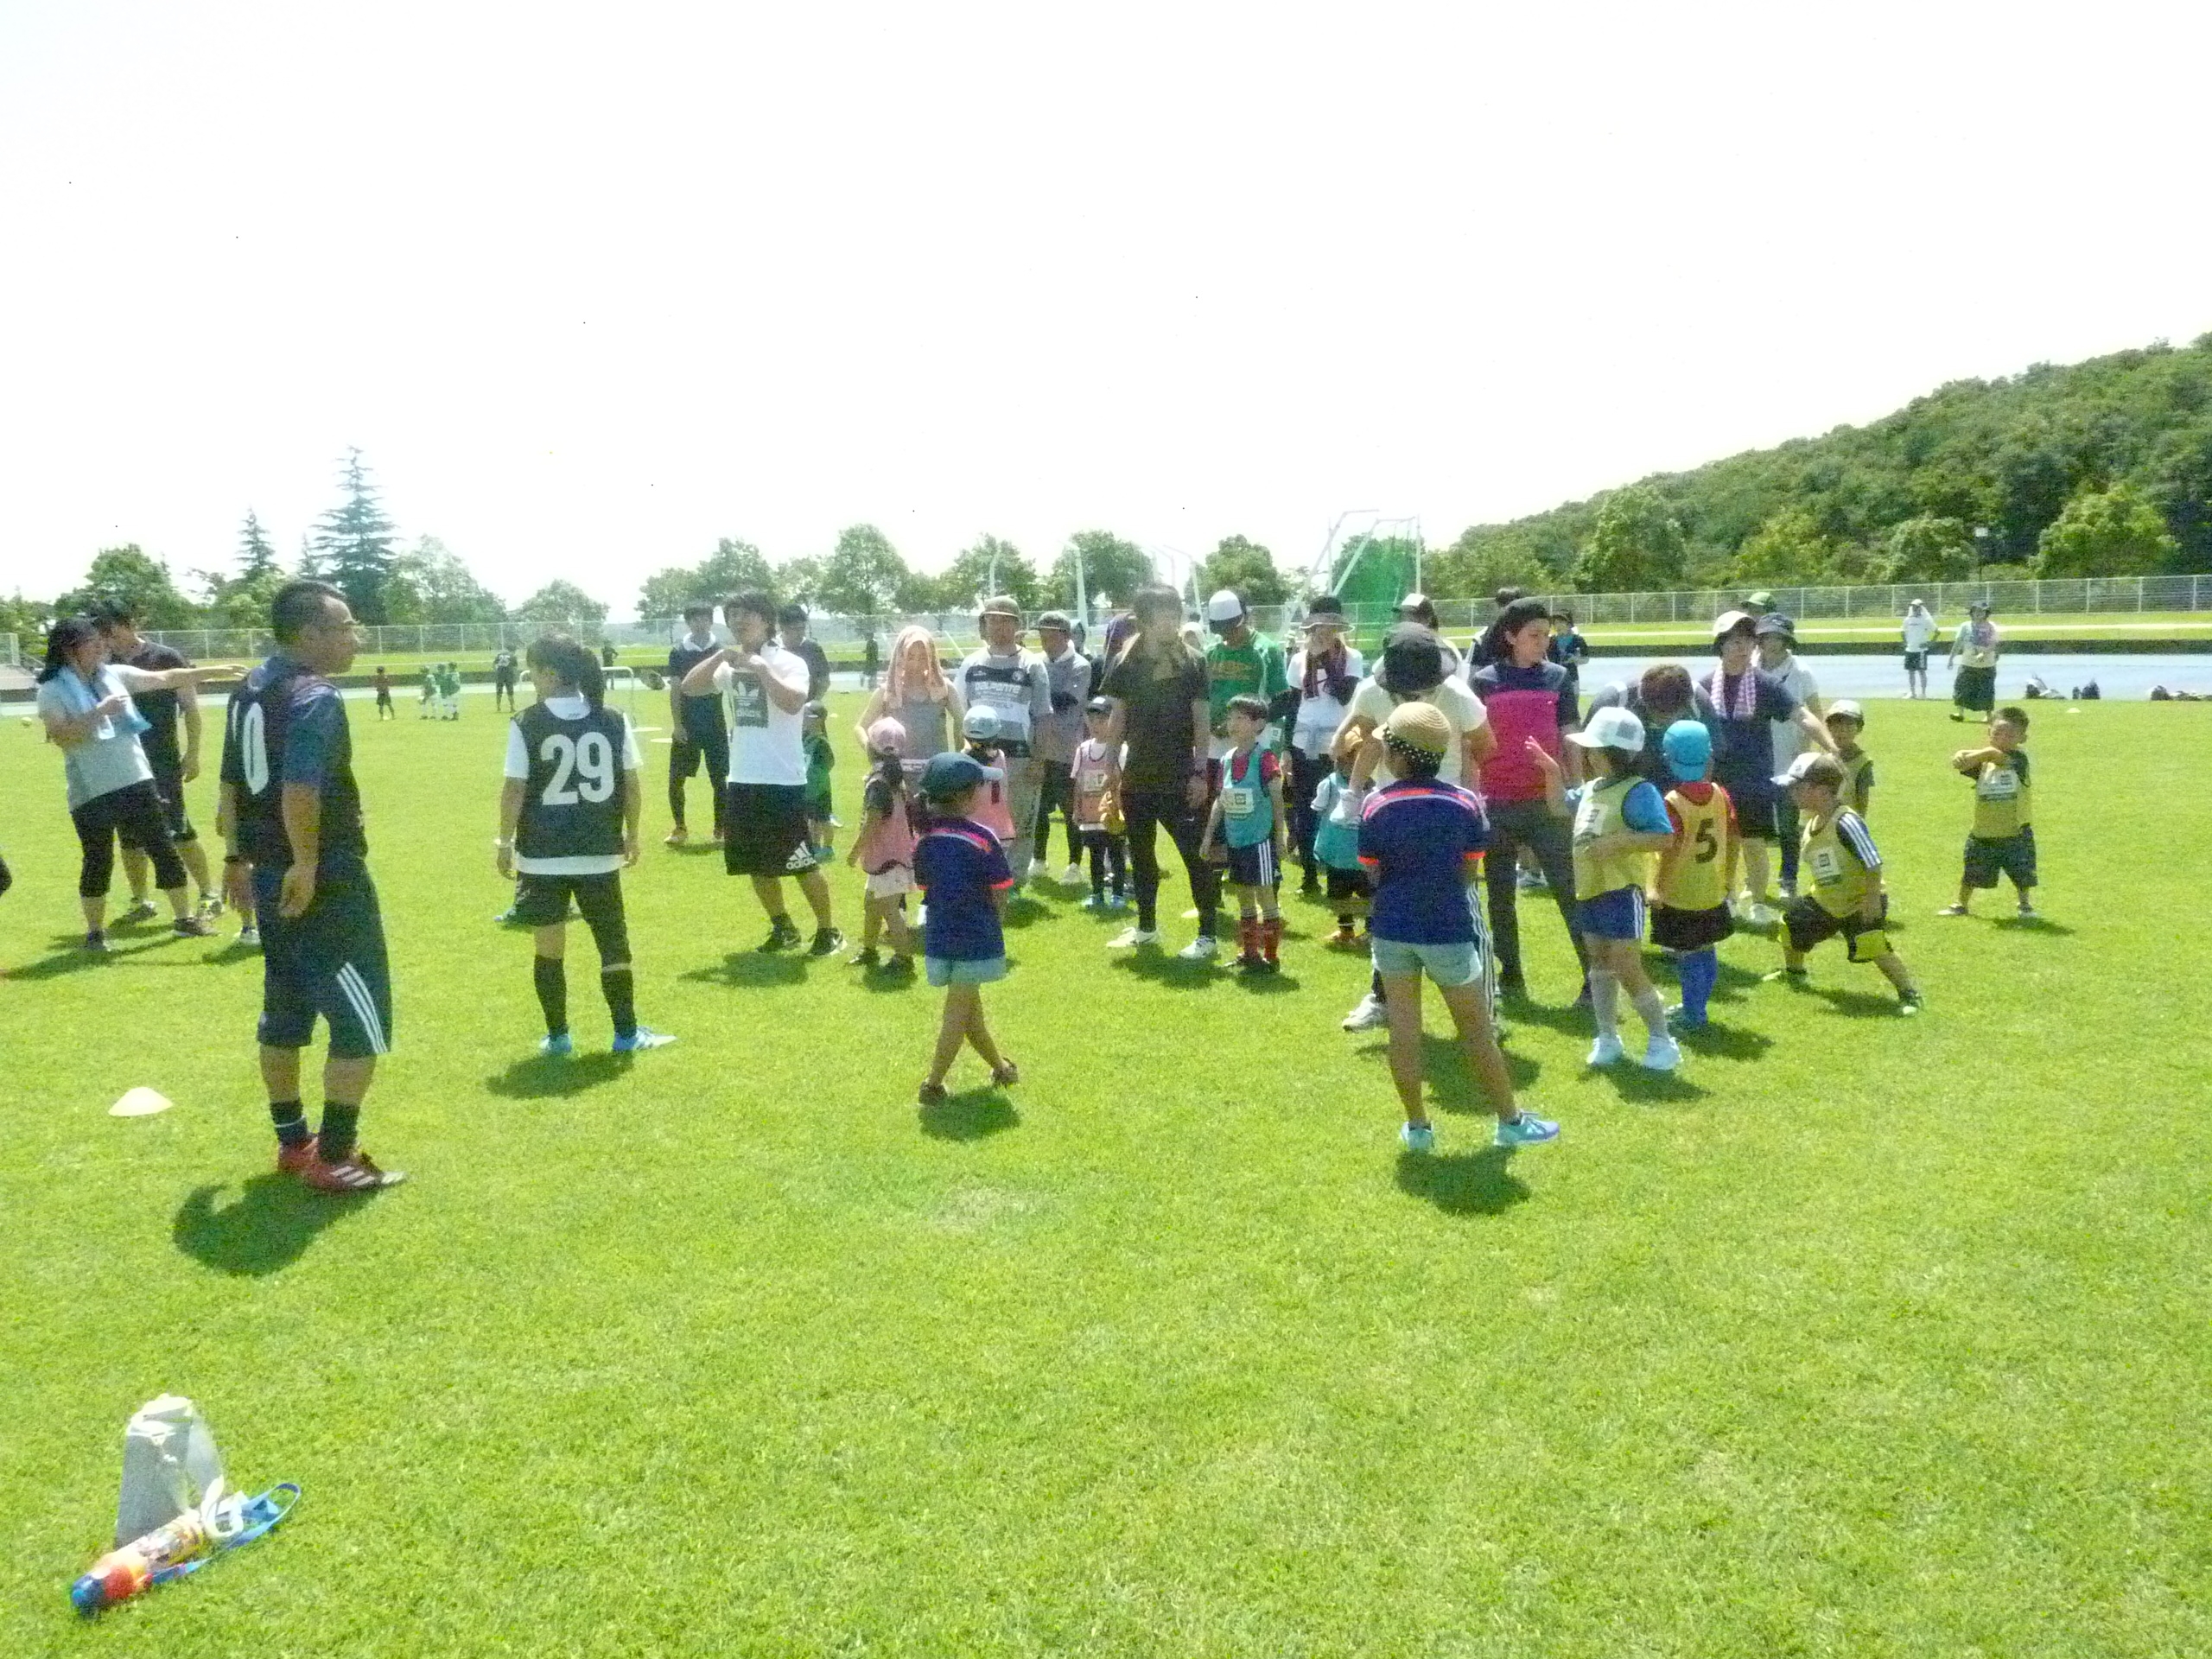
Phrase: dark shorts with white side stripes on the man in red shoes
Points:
(328, 963)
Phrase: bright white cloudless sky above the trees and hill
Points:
(594, 286)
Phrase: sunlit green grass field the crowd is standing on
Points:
(1861, 1337)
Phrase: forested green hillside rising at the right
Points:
(2094, 470)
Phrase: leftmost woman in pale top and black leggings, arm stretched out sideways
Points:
(85, 705)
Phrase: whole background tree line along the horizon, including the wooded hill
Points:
(2103, 468)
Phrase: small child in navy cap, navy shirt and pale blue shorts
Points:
(966, 881)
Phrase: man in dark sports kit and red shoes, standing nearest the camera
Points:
(295, 811)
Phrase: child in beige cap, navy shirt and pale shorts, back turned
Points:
(1421, 839)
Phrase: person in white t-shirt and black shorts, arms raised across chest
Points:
(766, 817)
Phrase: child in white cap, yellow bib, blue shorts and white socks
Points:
(1620, 824)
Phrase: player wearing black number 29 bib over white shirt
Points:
(567, 831)
